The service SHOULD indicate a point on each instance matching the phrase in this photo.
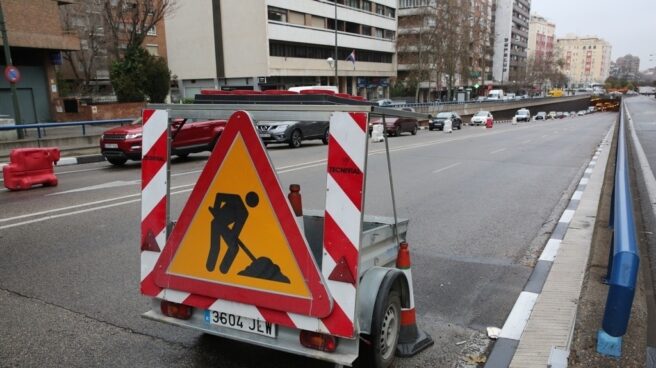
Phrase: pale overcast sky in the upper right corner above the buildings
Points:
(629, 25)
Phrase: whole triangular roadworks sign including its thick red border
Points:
(237, 238)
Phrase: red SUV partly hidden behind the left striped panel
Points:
(123, 143)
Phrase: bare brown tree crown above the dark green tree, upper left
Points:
(130, 20)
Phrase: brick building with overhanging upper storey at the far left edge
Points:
(36, 40)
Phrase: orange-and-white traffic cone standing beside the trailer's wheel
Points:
(412, 340)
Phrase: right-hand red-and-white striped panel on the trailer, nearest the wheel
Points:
(347, 158)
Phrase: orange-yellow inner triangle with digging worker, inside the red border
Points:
(235, 237)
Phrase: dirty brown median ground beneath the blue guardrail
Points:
(593, 297)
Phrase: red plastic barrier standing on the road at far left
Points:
(30, 166)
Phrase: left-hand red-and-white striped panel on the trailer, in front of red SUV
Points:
(154, 164)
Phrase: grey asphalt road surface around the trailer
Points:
(481, 204)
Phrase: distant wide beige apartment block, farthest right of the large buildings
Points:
(587, 59)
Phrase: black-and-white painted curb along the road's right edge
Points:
(507, 344)
